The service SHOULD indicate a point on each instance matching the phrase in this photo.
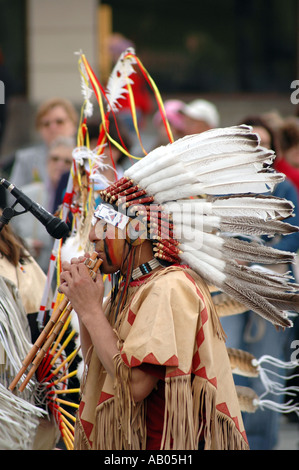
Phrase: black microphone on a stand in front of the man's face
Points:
(54, 226)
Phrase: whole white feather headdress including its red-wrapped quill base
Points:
(200, 196)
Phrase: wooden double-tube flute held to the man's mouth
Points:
(50, 331)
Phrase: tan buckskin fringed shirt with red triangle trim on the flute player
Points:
(170, 328)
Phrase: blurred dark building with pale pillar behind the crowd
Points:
(241, 55)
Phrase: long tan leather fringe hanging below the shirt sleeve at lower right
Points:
(182, 428)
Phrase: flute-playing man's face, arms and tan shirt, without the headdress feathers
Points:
(158, 372)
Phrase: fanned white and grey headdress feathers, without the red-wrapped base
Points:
(249, 175)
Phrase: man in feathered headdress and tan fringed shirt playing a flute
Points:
(158, 372)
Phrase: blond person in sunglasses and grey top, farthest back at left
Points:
(55, 117)
